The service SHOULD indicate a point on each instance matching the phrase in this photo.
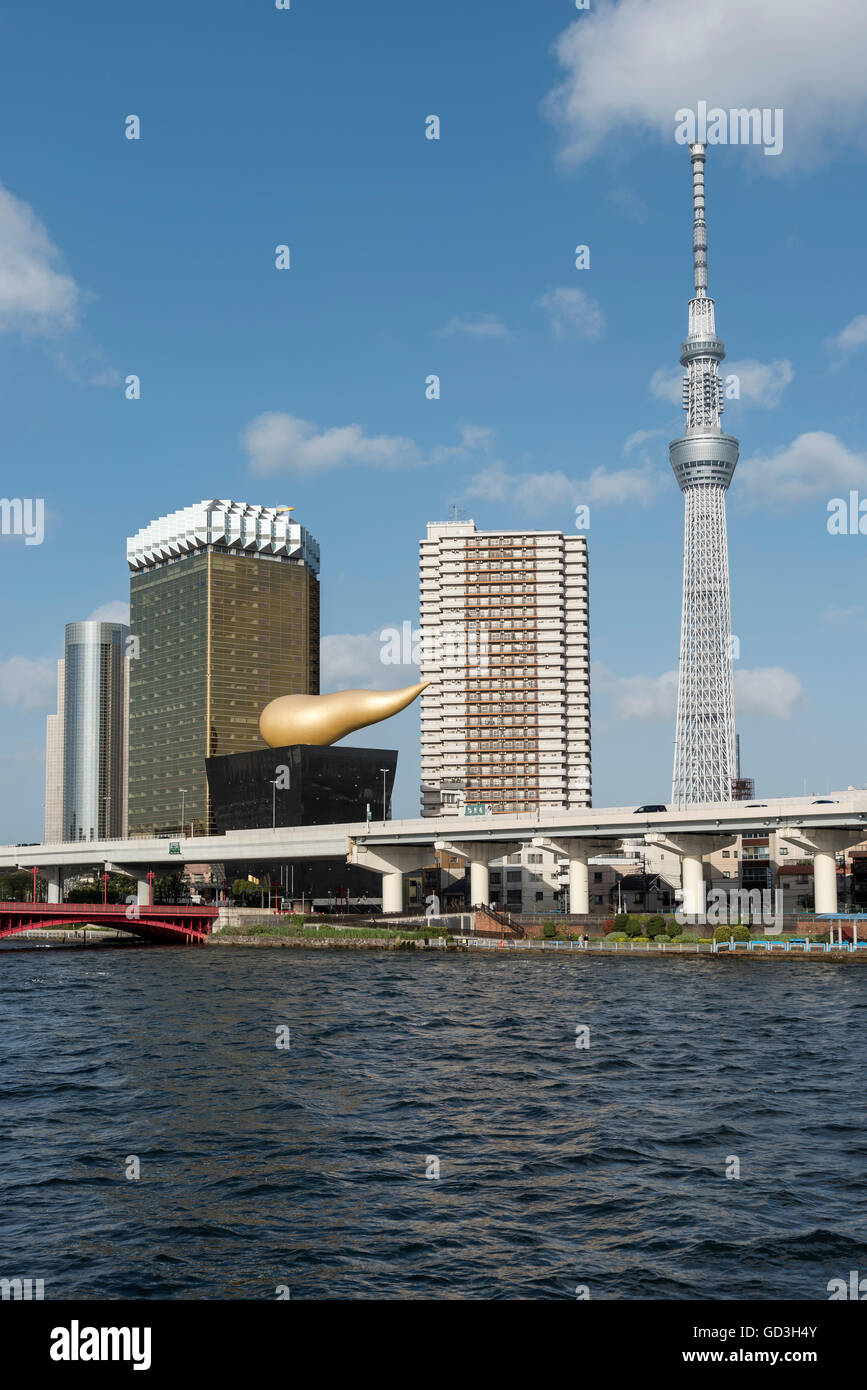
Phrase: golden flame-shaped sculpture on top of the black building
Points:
(324, 719)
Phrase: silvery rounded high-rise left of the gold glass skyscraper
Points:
(87, 739)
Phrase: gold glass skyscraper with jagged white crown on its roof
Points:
(224, 618)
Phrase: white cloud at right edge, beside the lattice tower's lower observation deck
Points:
(816, 465)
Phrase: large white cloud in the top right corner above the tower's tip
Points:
(630, 66)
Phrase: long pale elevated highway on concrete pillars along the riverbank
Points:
(819, 826)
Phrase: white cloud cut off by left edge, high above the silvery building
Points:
(37, 297)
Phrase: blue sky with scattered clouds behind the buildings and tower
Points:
(411, 258)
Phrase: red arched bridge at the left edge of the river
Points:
(188, 926)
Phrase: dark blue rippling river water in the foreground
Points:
(306, 1168)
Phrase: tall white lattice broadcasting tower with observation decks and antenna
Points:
(704, 461)
